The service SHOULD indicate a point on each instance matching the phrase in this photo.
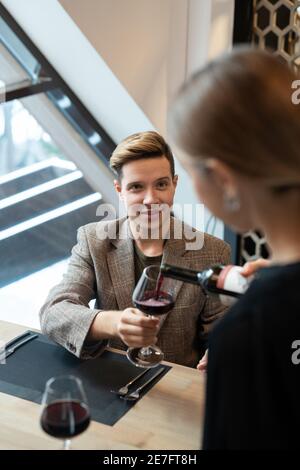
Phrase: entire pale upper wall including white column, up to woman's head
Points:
(152, 46)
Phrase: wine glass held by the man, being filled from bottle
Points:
(153, 295)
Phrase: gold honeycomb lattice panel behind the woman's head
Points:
(276, 26)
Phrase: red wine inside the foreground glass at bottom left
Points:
(65, 419)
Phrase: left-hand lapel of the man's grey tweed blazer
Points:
(120, 262)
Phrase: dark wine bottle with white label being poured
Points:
(225, 281)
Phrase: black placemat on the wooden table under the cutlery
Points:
(26, 371)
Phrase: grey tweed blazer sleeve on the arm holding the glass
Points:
(66, 317)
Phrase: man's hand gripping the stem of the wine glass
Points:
(135, 329)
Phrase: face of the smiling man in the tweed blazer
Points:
(146, 188)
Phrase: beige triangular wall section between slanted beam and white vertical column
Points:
(132, 36)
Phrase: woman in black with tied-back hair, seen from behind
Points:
(238, 133)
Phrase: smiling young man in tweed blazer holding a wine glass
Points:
(107, 268)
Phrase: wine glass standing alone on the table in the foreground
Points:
(65, 412)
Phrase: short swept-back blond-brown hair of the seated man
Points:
(147, 144)
